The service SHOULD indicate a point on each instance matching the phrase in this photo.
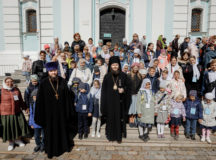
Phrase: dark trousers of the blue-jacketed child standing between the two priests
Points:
(83, 123)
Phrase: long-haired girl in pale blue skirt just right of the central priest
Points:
(136, 81)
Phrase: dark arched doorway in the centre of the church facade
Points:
(112, 25)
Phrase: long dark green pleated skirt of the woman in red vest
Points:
(14, 126)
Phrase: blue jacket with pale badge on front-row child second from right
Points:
(193, 109)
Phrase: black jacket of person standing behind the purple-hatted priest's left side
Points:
(38, 68)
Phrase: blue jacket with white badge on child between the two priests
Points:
(83, 103)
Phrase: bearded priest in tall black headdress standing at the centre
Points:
(115, 100)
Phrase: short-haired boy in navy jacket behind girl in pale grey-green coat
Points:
(154, 80)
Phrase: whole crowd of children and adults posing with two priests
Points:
(80, 85)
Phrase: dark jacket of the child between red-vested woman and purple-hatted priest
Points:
(27, 95)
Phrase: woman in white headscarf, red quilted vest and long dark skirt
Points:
(12, 118)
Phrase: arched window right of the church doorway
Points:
(196, 20)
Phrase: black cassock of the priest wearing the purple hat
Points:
(55, 116)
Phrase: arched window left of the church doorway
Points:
(31, 21)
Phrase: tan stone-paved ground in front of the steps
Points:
(115, 153)
